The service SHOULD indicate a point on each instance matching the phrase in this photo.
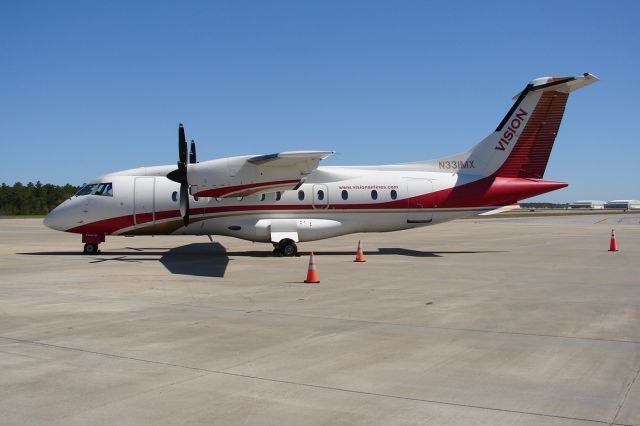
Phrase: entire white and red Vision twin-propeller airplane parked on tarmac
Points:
(287, 198)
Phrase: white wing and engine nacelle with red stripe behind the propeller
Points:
(248, 175)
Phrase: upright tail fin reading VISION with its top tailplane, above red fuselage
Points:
(521, 144)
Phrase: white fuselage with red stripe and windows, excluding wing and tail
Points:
(333, 201)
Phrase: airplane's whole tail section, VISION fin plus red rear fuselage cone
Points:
(509, 164)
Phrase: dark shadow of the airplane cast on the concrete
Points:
(211, 259)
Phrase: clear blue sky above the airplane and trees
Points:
(91, 87)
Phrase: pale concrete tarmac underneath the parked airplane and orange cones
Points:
(488, 321)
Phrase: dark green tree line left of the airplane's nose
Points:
(32, 198)
